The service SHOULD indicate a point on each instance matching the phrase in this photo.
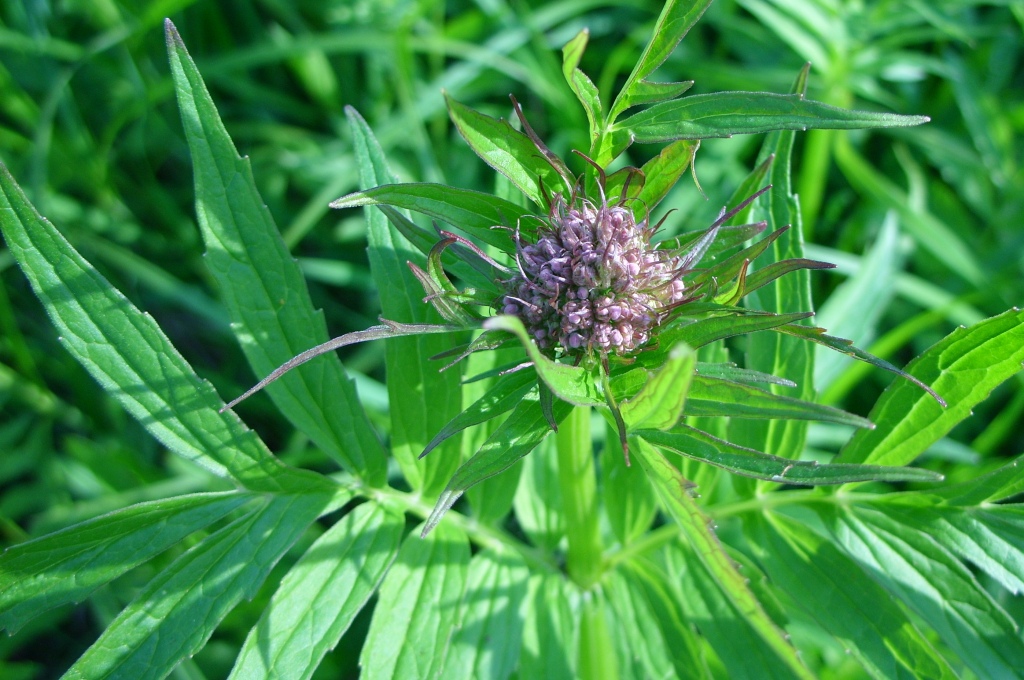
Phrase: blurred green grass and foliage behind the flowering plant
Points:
(930, 218)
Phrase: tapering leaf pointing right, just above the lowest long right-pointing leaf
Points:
(712, 397)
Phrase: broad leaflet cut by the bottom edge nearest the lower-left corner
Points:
(178, 612)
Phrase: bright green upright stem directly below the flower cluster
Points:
(578, 481)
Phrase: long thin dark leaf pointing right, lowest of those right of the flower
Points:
(750, 463)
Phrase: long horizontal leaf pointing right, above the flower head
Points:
(727, 114)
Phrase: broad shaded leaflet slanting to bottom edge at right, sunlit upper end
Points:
(834, 591)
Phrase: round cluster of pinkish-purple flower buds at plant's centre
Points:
(593, 282)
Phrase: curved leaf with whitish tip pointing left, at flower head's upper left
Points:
(474, 212)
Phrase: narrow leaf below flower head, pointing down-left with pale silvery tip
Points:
(523, 431)
